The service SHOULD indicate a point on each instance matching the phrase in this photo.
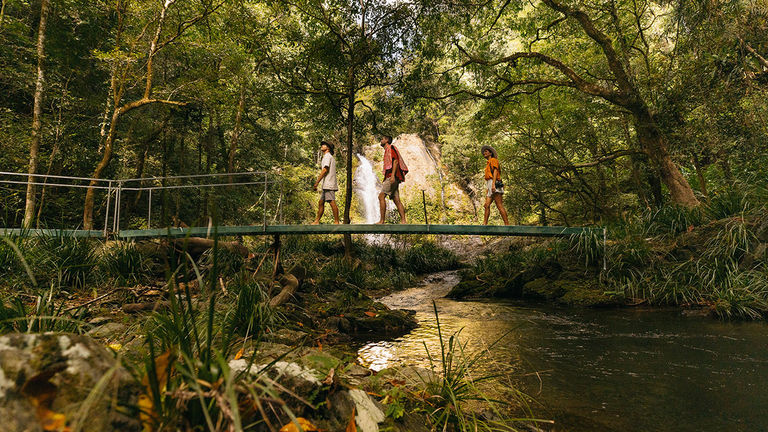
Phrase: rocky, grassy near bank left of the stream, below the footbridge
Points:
(210, 344)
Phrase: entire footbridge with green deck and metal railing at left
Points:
(195, 197)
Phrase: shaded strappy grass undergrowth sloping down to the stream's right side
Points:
(713, 257)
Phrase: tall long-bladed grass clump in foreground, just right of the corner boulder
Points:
(188, 378)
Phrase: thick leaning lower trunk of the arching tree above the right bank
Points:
(652, 142)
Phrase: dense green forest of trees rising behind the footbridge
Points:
(599, 110)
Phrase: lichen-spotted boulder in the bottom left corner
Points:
(43, 376)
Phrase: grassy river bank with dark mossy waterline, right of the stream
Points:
(673, 257)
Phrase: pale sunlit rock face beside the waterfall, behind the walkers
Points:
(425, 173)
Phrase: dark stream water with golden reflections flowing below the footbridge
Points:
(600, 370)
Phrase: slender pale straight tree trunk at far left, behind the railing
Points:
(37, 111)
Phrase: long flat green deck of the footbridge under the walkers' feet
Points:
(490, 230)
